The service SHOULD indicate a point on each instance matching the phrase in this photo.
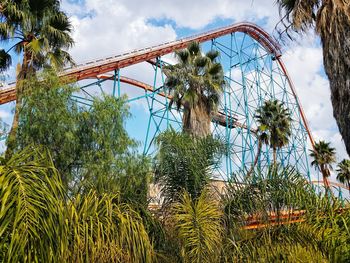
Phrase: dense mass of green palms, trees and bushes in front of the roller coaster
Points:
(73, 187)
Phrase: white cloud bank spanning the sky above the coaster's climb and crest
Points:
(107, 27)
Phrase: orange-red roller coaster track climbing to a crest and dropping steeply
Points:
(95, 69)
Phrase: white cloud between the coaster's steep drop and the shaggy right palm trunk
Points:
(305, 65)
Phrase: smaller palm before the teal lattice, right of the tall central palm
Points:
(274, 121)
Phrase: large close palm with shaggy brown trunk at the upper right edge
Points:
(331, 19)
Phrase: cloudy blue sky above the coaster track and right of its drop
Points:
(109, 27)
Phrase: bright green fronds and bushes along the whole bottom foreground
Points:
(40, 223)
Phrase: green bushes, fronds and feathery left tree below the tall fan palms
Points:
(78, 193)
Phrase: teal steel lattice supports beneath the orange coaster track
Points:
(254, 76)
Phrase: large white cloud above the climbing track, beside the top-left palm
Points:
(104, 28)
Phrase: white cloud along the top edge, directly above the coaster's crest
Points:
(198, 14)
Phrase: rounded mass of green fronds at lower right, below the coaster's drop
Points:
(321, 236)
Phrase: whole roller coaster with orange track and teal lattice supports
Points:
(254, 69)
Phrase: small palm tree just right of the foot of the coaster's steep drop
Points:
(323, 155)
